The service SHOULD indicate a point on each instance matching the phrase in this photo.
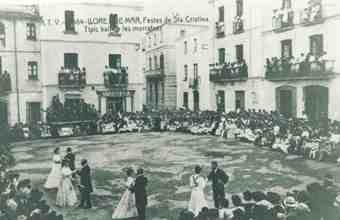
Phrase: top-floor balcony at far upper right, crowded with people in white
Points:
(312, 14)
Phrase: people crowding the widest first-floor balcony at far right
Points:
(305, 64)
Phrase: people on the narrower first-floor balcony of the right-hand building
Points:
(231, 70)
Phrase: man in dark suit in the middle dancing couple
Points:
(140, 193)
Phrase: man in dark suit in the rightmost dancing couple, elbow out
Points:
(219, 178)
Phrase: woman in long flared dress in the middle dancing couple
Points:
(126, 207)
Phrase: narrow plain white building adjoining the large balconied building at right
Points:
(192, 61)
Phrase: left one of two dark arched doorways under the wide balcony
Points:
(286, 100)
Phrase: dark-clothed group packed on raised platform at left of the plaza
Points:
(70, 111)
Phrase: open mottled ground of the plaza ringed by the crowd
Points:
(169, 159)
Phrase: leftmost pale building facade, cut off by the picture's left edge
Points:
(20, 62)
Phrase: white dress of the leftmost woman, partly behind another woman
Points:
(54, 178)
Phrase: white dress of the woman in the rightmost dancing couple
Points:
(197, 199)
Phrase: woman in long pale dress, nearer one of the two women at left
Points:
(66, 195)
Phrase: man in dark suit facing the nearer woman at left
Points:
(85, 185)
